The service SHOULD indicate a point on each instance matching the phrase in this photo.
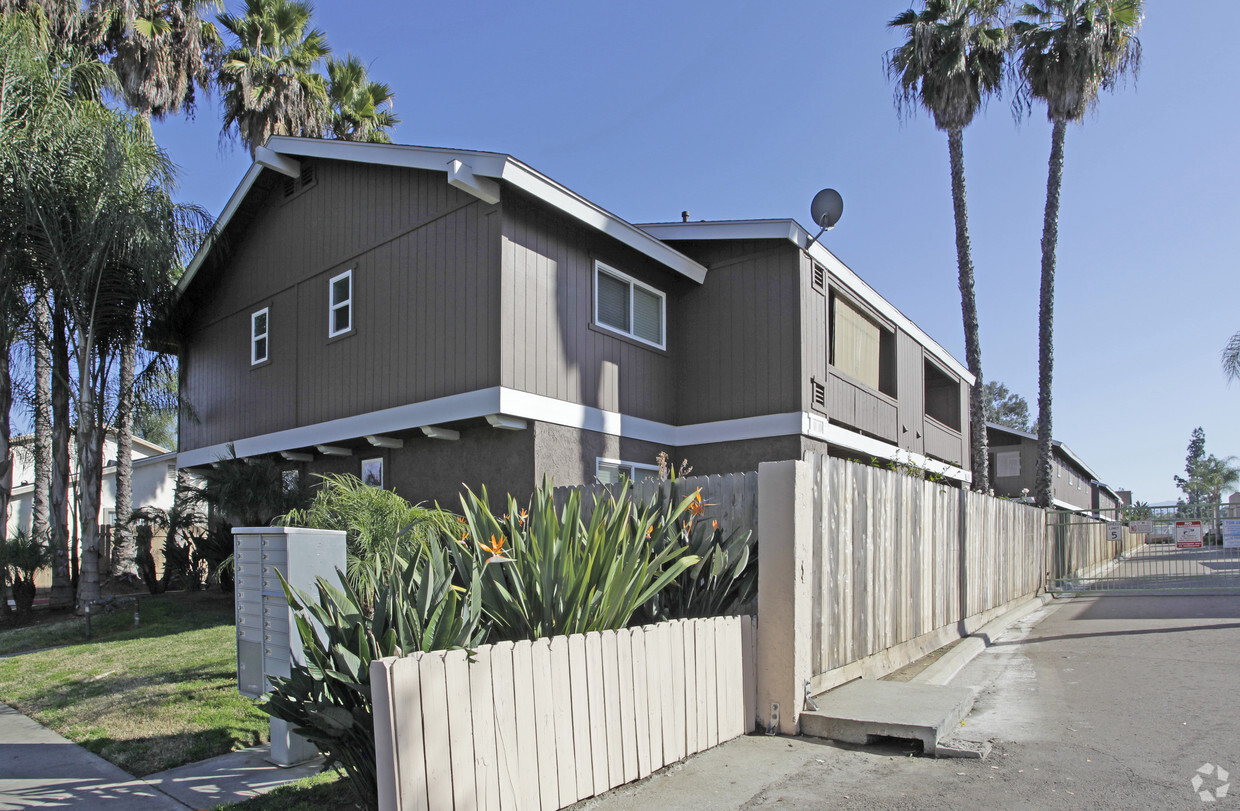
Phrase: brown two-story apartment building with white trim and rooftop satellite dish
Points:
(427, 318)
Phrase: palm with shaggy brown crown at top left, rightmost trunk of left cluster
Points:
(162, 53)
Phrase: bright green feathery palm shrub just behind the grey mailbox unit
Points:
(384, 531)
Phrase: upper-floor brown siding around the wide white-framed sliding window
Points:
(550, 345)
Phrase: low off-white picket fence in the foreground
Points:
(545, 724)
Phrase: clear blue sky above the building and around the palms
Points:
(745, 110)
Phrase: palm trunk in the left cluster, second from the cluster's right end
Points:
(90, 448)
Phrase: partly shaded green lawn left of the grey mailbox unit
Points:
(147, 699)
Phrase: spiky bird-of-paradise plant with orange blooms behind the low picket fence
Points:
(545, 572)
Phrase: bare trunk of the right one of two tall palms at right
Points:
(1045, 479)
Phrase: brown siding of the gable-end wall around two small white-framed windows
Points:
(426, 304)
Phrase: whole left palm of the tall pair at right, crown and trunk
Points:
(950, 64)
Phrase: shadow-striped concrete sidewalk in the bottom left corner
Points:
(42, 769)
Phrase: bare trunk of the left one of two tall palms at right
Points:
(978, 445)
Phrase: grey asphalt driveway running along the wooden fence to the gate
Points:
(1107, 702)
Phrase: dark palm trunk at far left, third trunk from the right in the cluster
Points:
(63, 578)
